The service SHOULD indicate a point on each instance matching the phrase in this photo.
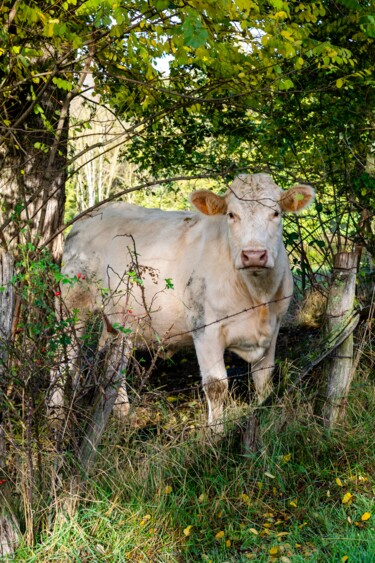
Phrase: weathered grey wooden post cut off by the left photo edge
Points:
(8, 527)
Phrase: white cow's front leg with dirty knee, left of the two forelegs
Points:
(214, 380)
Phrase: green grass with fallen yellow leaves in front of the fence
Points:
(149, 487)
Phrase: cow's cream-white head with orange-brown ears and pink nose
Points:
(253, 206)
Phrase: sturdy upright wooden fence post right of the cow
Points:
(337, 372)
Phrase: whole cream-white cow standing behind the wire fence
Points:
(228, 266)
